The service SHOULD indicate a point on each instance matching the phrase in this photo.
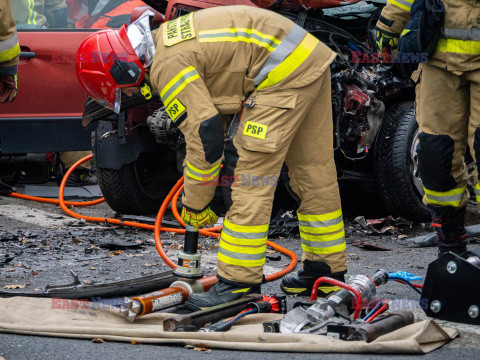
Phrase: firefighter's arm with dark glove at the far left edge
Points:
(9, 51)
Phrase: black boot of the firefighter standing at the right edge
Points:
(450, 226)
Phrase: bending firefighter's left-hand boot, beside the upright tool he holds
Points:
(220, 293)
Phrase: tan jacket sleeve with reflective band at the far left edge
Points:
(9, 47)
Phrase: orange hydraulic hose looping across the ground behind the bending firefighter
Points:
(172, 198)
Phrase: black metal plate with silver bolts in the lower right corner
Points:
(452, 288)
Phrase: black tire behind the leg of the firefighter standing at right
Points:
(396, 172)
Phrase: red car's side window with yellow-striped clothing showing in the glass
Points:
(34, 14)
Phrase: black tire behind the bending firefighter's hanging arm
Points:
(139, 187)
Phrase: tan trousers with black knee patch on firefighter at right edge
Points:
(448, 114)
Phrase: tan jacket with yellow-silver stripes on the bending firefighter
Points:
(210, 61)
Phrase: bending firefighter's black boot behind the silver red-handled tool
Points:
(301, 282)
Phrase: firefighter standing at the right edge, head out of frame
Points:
(448, 113)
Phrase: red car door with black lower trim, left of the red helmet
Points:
(46, 115)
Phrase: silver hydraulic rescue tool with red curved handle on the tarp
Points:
(334, 309)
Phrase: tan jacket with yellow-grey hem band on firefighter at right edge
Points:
(458, 48)
